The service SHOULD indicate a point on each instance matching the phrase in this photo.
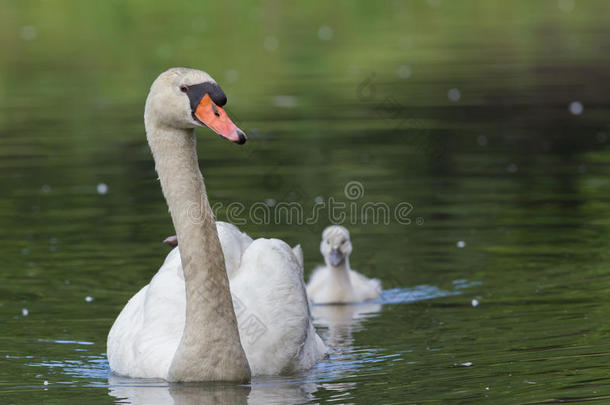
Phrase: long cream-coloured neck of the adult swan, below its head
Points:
(210, 349)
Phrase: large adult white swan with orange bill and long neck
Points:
(192, 323)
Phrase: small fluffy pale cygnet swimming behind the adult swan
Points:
(337, 283)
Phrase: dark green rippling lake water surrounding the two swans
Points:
(460, 111)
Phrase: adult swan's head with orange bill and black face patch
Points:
(187, 98)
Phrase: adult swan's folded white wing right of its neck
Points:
(273, 311)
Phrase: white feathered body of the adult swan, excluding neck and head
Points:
(266, 281)
